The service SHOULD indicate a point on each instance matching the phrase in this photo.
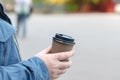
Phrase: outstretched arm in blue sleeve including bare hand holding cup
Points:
(42, 67)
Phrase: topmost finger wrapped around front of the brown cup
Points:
(64, 55)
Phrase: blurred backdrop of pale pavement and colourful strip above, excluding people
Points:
(95, 25)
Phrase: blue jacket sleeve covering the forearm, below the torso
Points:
(32, 69)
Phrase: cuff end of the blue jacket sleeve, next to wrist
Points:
(39, 68)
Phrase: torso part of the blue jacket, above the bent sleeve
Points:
(9, 53)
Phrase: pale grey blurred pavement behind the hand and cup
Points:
(97, 43)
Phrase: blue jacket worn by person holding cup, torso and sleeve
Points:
(11, 67)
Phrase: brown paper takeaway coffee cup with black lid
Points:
(62, 43)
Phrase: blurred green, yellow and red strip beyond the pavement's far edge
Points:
(68, 6)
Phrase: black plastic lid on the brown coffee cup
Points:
(65, 39)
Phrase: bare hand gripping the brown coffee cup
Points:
(55, 62)
